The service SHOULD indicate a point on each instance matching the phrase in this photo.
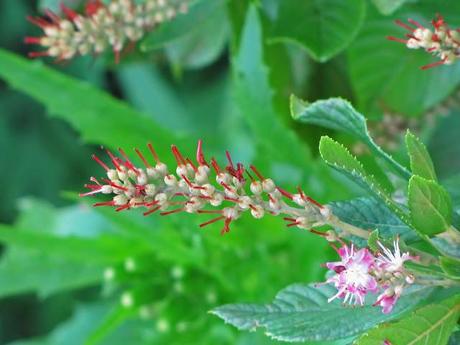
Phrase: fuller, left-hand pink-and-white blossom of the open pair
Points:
(353, 279)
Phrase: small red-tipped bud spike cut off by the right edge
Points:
(442, 41)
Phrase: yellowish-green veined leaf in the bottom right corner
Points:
(430, 325)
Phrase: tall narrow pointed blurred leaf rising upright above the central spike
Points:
(254, 97)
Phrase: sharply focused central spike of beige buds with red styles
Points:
(202, 188)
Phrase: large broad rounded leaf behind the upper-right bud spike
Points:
(386, 75)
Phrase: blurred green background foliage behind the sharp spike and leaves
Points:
(224, 73)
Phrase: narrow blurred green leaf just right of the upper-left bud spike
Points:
(168, 32)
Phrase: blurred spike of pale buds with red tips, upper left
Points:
(101, 27)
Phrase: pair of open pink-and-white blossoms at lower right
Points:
(359, 272)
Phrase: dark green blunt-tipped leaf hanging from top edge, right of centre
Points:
(323, 28)
